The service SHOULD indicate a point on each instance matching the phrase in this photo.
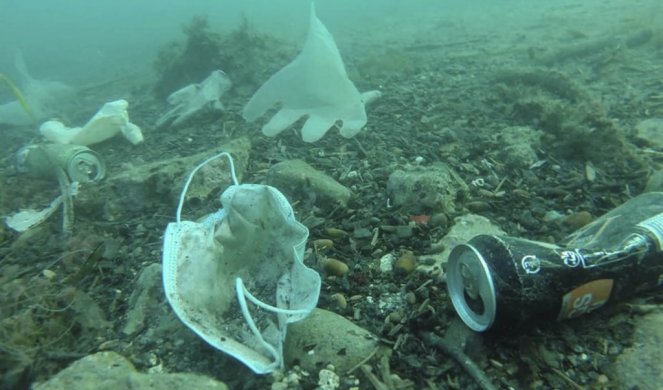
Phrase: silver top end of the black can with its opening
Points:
(471, 287)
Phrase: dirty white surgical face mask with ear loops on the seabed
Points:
(238, 278)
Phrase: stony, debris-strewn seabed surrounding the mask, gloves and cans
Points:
(534, 139)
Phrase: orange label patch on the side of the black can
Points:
(583, 299)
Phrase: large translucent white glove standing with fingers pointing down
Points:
(315, 84)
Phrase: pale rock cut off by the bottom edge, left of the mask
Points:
(111, 371)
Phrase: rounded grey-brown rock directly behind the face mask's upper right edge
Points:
(300, 181)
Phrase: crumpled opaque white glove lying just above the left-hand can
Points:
(110, 120)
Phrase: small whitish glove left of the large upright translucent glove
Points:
(196, 99)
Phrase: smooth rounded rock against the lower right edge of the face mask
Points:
(325, 338)
